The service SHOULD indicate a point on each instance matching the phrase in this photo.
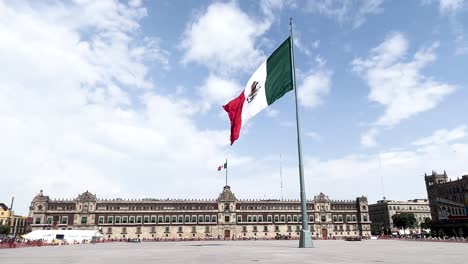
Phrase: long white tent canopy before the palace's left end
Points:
(68, 235)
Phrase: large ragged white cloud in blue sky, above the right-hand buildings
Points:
(397, 85)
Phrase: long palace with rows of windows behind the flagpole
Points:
(225, 217)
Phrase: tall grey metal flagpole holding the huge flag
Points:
(305, 240)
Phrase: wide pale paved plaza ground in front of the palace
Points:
(370, 251)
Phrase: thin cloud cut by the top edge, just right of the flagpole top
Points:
(346, 11)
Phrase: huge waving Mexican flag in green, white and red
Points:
(266, 85)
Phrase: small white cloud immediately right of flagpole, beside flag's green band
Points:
(314, 86)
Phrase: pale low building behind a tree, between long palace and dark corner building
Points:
(381, 214)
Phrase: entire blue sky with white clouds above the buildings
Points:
(124, 98)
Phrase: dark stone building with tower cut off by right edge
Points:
(448, 201)
